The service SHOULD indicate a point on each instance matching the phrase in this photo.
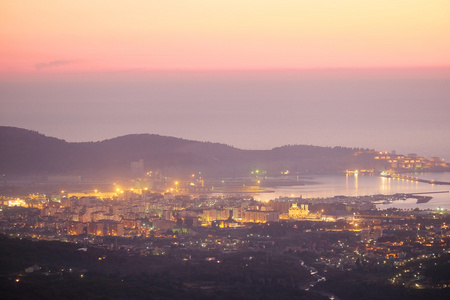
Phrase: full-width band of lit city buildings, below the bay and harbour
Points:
(209, 228)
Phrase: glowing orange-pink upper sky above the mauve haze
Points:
(112, 35)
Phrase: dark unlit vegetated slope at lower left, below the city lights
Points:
(68, 273)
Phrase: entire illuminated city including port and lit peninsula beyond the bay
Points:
(192, 219)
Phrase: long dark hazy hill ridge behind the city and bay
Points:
(26, 152)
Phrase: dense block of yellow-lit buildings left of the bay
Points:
(139, 212)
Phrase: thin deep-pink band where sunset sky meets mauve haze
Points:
(147, 74)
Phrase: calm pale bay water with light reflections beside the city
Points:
(360, 185)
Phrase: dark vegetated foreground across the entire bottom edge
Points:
(69, 273)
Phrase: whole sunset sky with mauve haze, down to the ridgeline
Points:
(249, 73)
